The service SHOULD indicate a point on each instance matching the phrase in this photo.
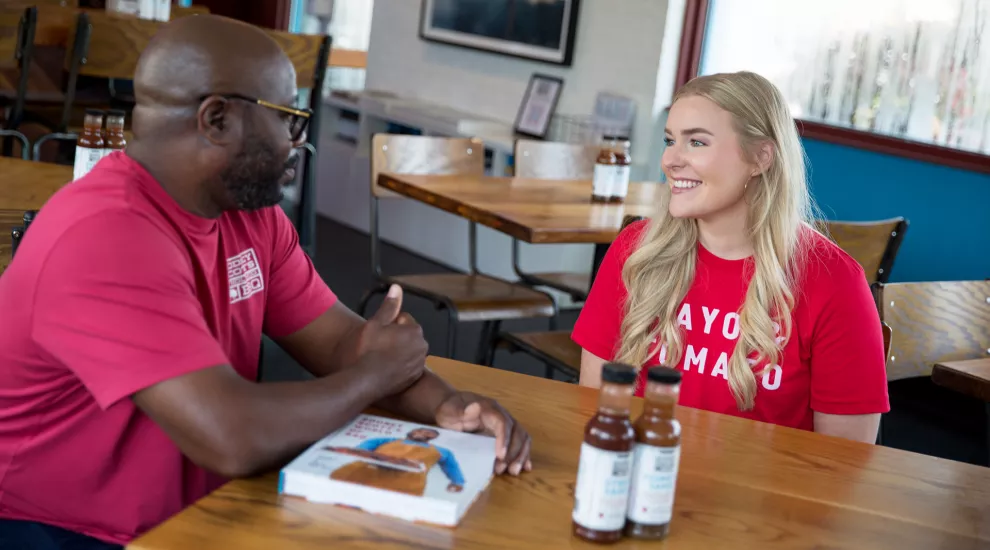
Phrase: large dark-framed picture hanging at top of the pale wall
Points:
(540, 30)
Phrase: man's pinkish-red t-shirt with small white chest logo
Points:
(115, 289)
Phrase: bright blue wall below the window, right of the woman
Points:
(948, 209)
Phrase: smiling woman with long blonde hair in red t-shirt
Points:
(767, 318)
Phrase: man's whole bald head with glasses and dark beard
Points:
(213, 120)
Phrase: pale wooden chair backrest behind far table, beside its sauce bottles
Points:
(554, 160)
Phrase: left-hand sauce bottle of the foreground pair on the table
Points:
(604, 468)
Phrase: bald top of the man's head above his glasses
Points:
(195, 56)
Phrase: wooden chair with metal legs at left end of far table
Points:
(467, 297)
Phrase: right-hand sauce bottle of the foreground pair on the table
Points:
(656, 456)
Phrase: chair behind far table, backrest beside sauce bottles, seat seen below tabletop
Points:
(557, 161)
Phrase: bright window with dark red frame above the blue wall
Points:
(910, 77)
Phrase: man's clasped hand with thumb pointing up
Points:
(390, 344)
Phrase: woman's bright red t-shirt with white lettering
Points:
(833, 363)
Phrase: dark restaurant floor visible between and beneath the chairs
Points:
(924, 418)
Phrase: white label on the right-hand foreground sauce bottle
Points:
(651, 499)
